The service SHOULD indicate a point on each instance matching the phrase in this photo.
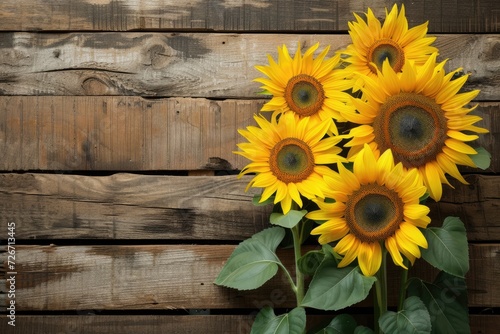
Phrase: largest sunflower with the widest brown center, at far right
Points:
(419, 115)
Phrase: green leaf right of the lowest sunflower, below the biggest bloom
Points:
(448, 248)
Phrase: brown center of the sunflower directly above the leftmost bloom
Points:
(304, 95)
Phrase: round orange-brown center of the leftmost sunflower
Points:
(291, 160)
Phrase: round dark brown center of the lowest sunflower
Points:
(374, 212)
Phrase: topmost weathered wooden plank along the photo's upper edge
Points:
(256, 15)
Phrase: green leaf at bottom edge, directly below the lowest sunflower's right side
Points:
(413, 318)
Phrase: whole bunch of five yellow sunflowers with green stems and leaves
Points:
(350, 149)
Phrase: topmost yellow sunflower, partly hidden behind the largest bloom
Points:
(373, 43)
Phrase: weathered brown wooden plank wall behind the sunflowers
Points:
(117, 124)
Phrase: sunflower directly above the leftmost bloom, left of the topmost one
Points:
(305, 85)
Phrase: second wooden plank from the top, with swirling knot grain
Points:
(189, 64)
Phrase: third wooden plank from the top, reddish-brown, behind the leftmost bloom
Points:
(128, 133)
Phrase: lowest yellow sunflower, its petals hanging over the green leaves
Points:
(376, 205)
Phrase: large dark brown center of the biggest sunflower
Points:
(413, 126)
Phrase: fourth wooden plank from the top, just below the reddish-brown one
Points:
(130, 206)
